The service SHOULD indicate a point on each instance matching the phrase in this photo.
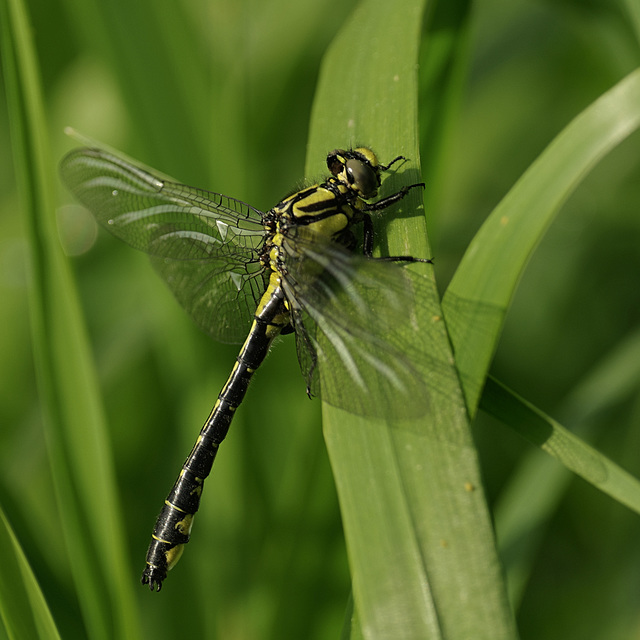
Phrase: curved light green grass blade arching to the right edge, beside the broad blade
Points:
(479, 294)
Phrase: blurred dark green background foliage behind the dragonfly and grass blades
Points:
(218, 94)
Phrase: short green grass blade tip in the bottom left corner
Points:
(23, 609)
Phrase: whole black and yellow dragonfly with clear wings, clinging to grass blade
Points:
(244, 274)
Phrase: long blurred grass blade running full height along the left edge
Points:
(75, 431)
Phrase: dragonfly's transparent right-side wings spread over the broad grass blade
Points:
(352, 316)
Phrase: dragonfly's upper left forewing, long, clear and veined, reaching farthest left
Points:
(159, 217)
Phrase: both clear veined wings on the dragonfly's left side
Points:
(205, 245)
